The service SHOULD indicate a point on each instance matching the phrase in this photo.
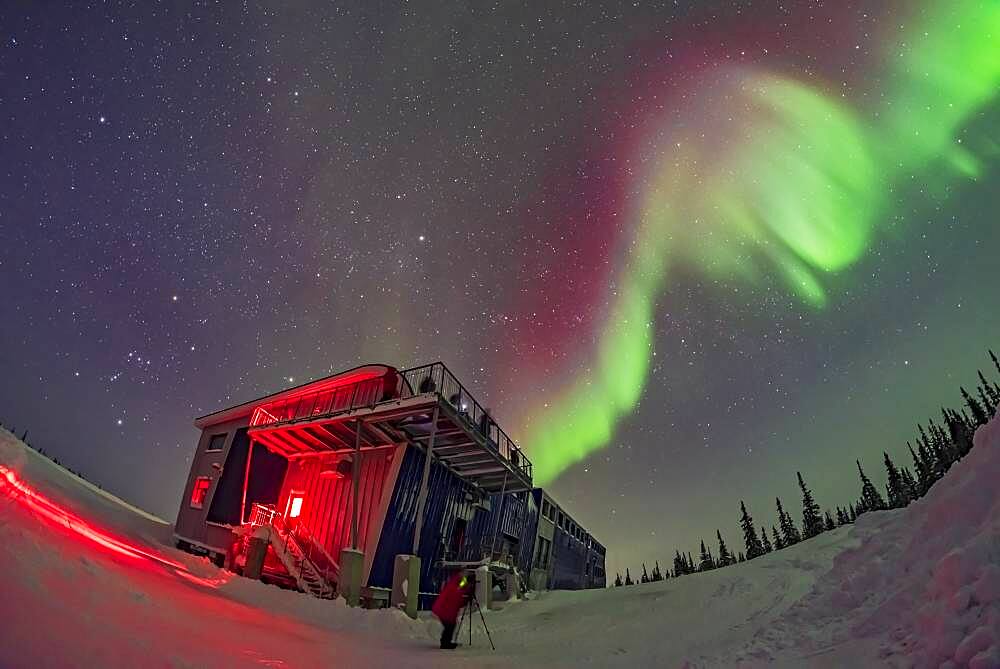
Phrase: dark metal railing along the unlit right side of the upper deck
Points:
(436, 378)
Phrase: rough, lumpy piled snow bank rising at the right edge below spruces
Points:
(923, 582)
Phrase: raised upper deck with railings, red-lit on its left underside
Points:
(364, 413)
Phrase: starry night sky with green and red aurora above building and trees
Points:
(681, 249)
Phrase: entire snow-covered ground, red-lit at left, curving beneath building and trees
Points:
(90, 581)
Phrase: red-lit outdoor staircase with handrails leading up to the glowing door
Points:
(314, 571)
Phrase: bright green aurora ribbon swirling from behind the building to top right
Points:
(797, 193)
